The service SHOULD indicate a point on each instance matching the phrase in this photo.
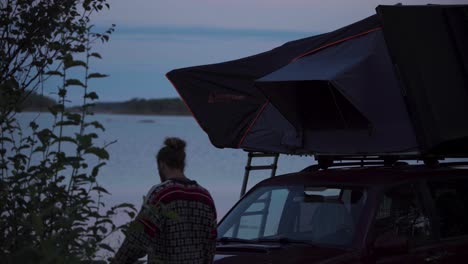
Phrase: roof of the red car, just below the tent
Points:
(366, 176)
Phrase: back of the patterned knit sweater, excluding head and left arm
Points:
(186, 212)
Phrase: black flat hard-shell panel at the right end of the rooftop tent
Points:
(429, 47)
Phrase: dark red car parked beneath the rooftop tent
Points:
(399, 214)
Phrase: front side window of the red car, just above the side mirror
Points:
(401, 212)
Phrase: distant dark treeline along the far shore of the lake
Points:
(168, 106)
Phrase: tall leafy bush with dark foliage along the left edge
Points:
(50, 198)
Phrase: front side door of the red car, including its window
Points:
(403, 214)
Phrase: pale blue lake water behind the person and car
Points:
(131, 170)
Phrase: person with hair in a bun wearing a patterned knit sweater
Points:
(177, 223)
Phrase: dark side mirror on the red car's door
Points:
(391, 243)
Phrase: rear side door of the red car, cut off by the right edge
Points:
(450, 200)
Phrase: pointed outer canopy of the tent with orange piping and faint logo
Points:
(233, 112)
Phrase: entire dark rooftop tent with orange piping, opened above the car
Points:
(359, 90)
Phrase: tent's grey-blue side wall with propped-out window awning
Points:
(345, 98)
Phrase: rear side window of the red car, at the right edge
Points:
(451, 201)
